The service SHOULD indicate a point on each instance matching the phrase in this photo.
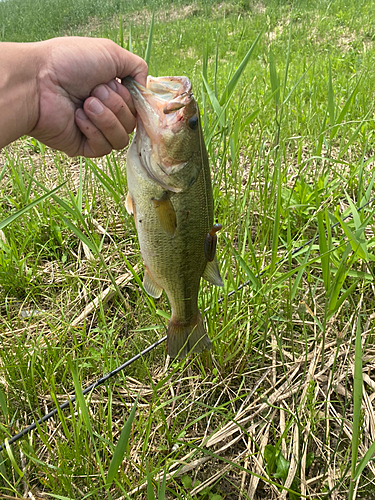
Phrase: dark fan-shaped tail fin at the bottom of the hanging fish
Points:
(185, 338)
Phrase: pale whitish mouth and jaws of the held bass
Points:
(166, 103)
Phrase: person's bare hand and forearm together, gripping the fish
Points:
(65, 92)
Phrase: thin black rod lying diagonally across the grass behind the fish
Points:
(109, 375)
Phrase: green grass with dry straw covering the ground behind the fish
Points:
(284, 400)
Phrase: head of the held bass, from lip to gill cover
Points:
(169, 135)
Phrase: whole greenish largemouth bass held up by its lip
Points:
(170, 196)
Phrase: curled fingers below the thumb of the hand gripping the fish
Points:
(106, 120)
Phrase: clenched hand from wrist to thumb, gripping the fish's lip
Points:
(83, 109)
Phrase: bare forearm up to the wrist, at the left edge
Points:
(19, 96)
